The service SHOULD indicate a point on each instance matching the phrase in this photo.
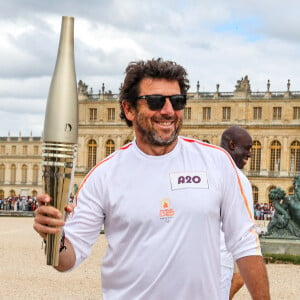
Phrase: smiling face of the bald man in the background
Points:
(242, 150)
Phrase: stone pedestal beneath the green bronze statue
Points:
(280, 246)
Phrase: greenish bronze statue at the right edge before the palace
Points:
(286, 220)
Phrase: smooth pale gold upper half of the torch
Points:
(61, 116)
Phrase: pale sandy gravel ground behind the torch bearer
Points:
(25, 275)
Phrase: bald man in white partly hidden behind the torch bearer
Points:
(238, 143)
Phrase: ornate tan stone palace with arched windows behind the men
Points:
(272, 119)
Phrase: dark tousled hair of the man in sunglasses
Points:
(154, 68)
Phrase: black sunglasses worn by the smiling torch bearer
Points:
(157, 102)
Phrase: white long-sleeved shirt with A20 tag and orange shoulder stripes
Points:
(162, 218)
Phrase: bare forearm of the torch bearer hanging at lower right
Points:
(254, 273)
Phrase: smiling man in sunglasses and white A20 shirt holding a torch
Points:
(161, 198)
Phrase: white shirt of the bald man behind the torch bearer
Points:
(226, 256)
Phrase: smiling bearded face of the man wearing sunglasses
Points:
(156, 131)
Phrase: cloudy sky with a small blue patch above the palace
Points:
(217, 41)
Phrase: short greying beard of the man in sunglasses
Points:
(151, 136)
